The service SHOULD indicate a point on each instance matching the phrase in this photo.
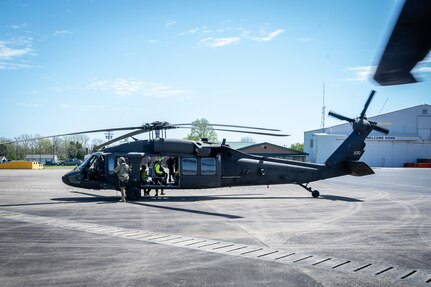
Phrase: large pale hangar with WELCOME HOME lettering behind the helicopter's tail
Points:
(408, 141)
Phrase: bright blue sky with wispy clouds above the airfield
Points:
(67, 66)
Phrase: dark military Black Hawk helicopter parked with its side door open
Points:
(203, 164)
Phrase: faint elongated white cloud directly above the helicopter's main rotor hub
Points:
(124, 87)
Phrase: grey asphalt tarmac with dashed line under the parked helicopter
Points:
(368, 231)
